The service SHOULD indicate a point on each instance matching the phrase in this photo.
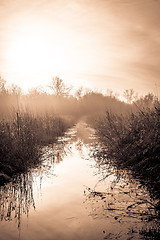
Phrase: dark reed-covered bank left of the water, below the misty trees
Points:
(22, 138)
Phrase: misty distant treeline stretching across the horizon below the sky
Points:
(60, 101)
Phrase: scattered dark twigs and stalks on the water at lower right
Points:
(123, 201)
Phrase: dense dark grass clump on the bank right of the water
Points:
(133, 142)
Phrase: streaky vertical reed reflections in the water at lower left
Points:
(16, 198)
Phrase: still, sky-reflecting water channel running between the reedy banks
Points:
(69, 197)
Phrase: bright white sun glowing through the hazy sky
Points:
(36, 53)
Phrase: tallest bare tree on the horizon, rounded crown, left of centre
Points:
(59, 88)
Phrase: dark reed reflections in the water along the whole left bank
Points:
(16, 197)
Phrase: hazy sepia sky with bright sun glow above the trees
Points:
(94, 43)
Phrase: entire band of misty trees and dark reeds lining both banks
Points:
(129, 131)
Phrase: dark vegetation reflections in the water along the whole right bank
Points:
(125, 201)
